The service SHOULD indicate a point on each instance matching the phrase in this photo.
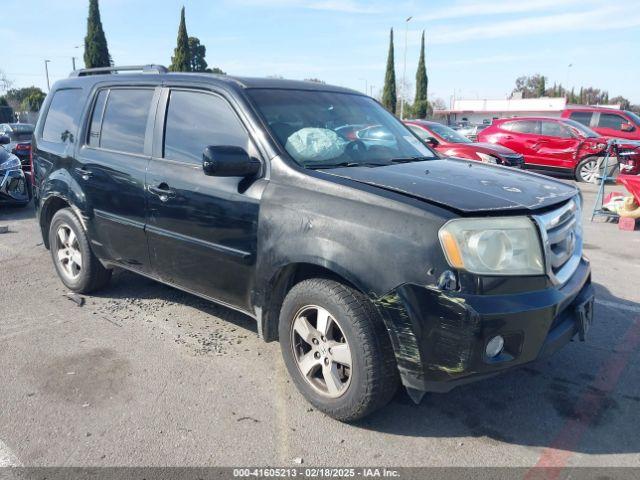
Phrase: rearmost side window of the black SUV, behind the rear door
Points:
(59, 126)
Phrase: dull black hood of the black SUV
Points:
(466, 186)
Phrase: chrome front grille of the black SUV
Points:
(561, 232)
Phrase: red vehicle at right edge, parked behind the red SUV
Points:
(608, 122)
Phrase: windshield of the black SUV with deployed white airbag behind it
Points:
(321, 129)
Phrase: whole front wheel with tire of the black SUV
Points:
(355, 327)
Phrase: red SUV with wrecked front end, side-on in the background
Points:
(556, 144)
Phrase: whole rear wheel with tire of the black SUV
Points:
(77, 266)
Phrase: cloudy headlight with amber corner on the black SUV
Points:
(493, 246)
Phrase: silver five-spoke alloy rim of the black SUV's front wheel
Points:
(321, 351)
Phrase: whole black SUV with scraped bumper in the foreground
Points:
(372, 260)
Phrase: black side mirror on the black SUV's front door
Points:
(228, 161)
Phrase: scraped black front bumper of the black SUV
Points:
(440, 337)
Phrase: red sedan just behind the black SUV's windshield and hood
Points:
(452, 144)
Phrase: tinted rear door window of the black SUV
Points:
(125, 120)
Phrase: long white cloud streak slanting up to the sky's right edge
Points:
(605, 18)
